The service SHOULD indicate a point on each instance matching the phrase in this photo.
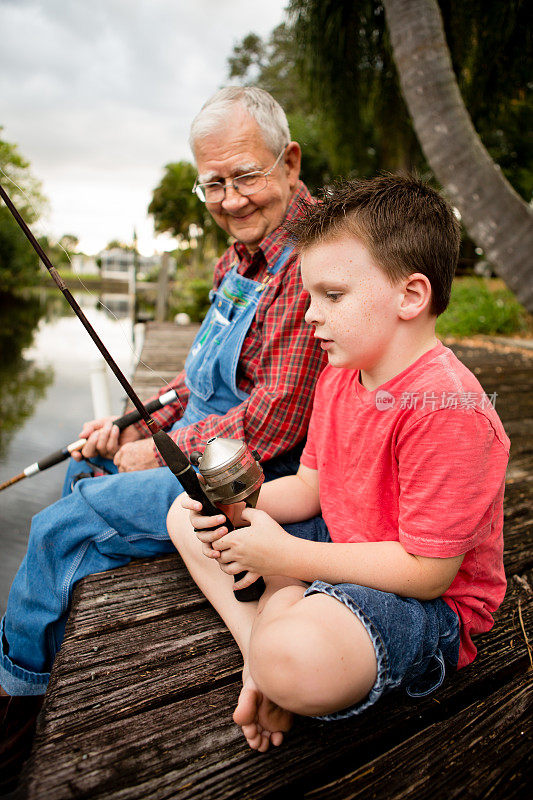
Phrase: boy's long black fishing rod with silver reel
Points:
(172, 455)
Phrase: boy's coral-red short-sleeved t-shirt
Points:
(421, 460)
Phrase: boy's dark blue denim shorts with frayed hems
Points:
(414, 640)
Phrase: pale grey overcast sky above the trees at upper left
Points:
(99, 96)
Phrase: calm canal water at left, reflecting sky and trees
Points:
(46, 357)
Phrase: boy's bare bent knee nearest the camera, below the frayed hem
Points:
(311, 655)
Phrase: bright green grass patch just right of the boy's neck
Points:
(483, 306)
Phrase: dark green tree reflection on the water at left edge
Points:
(22, 381)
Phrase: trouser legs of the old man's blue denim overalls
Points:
(101, 525)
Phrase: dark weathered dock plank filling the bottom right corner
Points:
(453, 754)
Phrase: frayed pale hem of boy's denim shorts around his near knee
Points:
(319, 587)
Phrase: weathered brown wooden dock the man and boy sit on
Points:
(140, 701)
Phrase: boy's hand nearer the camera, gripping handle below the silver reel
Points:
(260, 549)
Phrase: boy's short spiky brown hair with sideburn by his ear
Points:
(405, 225)
